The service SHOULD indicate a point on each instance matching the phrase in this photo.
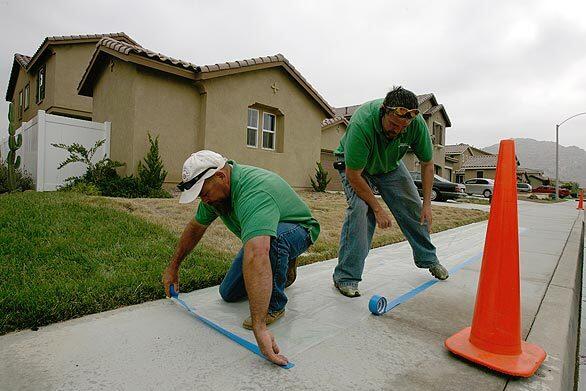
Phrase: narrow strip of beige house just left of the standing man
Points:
(332, 130)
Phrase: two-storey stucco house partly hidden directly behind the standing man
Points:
(437, 121)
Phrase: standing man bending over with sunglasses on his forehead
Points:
(378, 136)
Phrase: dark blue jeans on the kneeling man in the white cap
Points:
(291, 241)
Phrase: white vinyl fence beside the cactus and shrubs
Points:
(40, 159)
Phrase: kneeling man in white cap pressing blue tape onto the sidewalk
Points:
(273, 223)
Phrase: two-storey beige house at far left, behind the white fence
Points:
(48, 80)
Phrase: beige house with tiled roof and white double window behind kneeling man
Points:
(259, 111)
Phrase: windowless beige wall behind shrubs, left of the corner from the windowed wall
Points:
(167, 106)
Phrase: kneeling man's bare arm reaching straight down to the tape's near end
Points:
(258, 279)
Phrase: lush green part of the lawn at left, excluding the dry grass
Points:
(62, 256)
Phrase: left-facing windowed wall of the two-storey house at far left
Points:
(31, 78)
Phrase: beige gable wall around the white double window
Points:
(228, 99)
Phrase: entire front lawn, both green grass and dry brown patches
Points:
(64, 255)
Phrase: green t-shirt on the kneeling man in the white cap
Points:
(260, 201)
